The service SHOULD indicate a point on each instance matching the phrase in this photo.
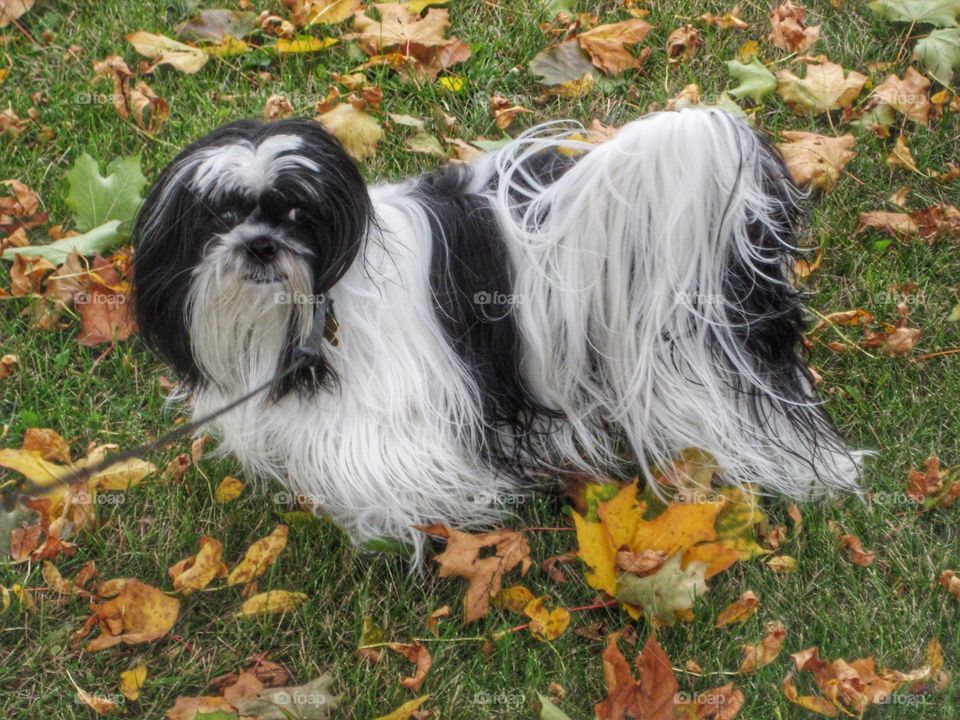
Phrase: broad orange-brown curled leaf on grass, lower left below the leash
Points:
(131, 612)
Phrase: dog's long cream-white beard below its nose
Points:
(242, 318)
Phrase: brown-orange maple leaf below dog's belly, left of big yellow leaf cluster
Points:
(484, 575)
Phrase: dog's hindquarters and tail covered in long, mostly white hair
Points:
(654, 279)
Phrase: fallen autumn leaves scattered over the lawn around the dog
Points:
(643, 557)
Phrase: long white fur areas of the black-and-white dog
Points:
(389, 447)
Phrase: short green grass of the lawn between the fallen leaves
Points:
(903, 410)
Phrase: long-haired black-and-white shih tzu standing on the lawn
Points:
(553, 304)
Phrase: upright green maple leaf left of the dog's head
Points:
(96, 199)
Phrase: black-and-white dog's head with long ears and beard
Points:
(239, 234)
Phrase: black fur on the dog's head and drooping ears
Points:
(174, 224)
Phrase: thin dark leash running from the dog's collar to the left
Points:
(307, 354)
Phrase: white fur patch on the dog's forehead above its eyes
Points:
(246, 168)
